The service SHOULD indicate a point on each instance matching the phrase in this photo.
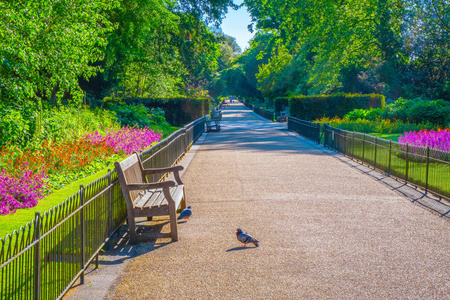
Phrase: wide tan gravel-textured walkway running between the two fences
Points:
(327, 231)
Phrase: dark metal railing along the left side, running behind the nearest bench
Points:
(46, 256)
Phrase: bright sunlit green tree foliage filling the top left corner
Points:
(45, 46)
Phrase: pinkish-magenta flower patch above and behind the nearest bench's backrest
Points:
(127, 139)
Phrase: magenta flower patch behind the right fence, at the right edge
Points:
(428, 138)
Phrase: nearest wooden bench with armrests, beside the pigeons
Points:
(149, 200)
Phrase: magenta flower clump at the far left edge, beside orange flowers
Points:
(24, 192)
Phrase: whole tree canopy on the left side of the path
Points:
(59, 50)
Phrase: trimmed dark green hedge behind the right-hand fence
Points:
(315, 107)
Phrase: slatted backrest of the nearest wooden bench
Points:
(130, 171)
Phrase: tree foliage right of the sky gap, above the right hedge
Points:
(390, 47)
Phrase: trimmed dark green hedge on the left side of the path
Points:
(178, 111)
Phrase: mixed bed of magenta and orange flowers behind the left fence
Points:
(28, 175)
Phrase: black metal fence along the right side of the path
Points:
(420, 166)
